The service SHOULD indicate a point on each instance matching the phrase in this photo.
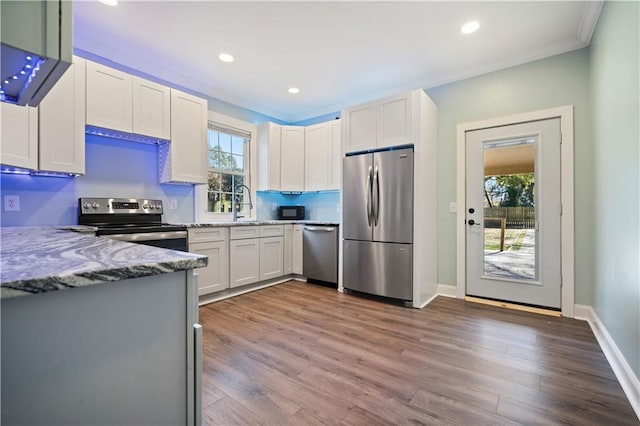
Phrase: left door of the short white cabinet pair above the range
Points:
(109, 98)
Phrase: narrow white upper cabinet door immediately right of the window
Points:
(269, 150)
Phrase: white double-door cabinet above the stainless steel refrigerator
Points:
(379, 124)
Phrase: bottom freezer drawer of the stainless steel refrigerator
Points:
(383, 269)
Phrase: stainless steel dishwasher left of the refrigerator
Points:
(320, 253)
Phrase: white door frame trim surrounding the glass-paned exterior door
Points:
(565, 113)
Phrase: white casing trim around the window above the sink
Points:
(200, 207)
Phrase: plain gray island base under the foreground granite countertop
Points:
(117, 354)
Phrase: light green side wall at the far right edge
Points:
(614, 58)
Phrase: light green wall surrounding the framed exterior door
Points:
(548, 83)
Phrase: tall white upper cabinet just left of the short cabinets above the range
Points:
(61, 123)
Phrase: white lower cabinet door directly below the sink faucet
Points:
(244, 262)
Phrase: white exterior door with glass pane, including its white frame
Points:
(515, 209)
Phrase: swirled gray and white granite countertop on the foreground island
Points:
(42, 259)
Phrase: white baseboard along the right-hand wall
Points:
(621, 368)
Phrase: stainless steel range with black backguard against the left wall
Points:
(132, 219)
